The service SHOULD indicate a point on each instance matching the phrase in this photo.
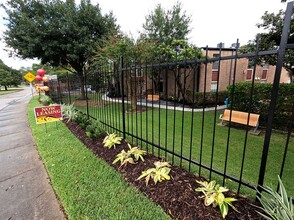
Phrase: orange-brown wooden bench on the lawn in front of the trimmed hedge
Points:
(241, 118)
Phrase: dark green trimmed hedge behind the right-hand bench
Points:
(261, 97)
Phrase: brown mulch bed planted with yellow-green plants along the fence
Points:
(177, 197)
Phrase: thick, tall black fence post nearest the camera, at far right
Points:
(274, 94)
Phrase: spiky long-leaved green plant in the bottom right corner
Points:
(276, 205)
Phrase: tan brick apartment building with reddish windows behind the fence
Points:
(226, 70)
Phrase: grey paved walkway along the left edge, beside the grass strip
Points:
(25, 190)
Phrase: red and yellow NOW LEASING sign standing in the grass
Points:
(48, 114)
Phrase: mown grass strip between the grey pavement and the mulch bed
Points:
(87, 186)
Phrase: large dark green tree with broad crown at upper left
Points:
(57, 32)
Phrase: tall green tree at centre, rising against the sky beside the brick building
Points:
(169, 30)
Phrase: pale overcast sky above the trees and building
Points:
(213, 21)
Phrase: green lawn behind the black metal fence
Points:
(164, 127)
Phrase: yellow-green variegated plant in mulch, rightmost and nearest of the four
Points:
(213, 195)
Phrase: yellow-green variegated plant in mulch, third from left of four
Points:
(158, 174)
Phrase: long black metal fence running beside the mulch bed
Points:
(172, 110)
